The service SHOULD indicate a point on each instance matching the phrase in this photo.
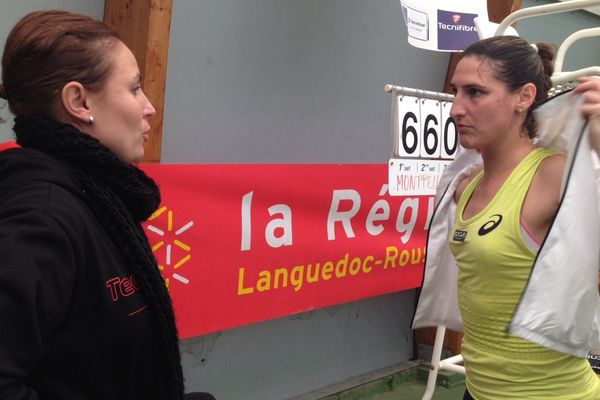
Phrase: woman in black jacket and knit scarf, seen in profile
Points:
(84, 311)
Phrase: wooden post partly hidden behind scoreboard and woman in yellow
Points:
(497, 11)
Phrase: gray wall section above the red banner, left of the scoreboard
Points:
(292, 81)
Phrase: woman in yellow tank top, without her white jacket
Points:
(504, 211)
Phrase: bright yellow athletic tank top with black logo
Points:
(494, 264)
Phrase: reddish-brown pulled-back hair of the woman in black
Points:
(47, 49)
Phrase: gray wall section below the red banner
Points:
(297, 354)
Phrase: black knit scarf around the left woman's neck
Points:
(121, 196)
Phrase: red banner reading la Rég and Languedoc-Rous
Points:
(245, 243)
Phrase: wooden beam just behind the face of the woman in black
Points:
(144, 26)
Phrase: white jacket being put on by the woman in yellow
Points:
(560, 307)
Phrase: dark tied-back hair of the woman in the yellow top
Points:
(515, 62)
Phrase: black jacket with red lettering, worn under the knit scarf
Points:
(73, 323)
